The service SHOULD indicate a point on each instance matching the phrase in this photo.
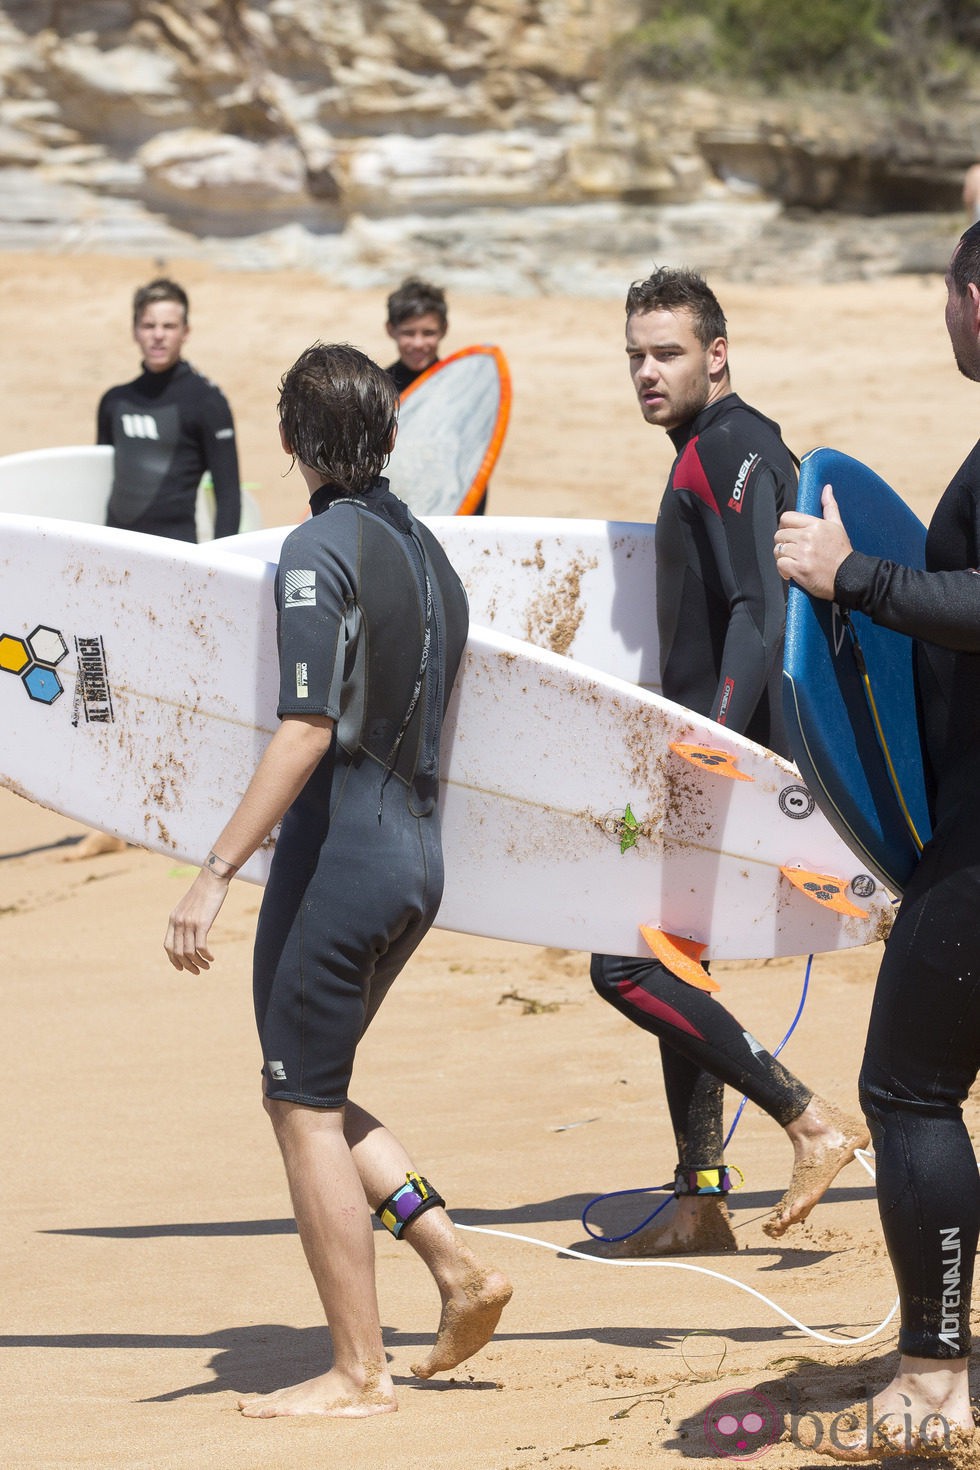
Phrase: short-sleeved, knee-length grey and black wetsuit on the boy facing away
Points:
(372, 625)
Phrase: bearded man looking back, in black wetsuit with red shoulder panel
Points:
(721, 614)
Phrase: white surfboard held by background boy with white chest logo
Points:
(74, 483)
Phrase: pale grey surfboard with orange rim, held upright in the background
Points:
(452, 426)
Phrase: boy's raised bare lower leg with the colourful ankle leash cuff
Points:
(472, 1294)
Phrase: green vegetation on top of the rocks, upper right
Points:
(891, 46)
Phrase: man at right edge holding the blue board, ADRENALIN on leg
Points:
(923, 1046)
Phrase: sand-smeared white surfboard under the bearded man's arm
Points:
(584, 589)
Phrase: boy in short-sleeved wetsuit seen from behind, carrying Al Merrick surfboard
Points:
(372, 624)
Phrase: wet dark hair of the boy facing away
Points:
(337, 409)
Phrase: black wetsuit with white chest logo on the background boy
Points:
(168, 429)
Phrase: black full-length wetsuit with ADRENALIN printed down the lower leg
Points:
(923, 1047)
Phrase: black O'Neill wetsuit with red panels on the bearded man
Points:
(722, 611)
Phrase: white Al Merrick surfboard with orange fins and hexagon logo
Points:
(137, 692)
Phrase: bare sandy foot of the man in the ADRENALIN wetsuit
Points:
(925, 1409)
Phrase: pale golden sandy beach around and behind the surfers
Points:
(151, 1268)
